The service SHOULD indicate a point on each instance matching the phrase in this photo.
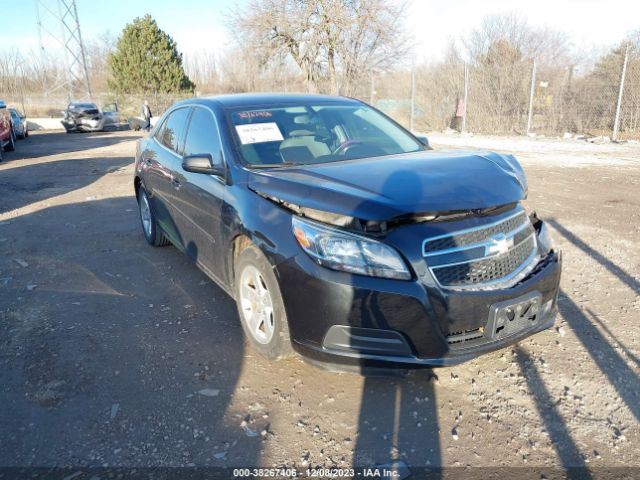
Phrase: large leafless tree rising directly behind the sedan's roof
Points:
(334, 42)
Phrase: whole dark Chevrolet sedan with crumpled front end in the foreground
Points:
(344, 237)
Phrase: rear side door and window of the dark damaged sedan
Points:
(163, 158)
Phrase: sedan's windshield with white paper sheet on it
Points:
(312, 134)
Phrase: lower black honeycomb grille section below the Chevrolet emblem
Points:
(487, 270)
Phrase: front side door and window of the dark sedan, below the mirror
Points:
(199, 203)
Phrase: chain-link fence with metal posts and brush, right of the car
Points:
(519, 97)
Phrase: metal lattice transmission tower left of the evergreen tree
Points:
(61, 16)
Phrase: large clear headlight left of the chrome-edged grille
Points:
(348, 252)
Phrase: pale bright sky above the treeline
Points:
(200, 25)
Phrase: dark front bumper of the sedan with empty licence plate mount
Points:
(340, 318)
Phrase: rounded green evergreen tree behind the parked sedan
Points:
(147, 60)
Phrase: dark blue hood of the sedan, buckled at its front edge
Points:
(382, 188)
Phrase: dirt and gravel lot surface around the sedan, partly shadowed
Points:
(113, 353)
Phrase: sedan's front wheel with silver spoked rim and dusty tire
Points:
(262, 314)
